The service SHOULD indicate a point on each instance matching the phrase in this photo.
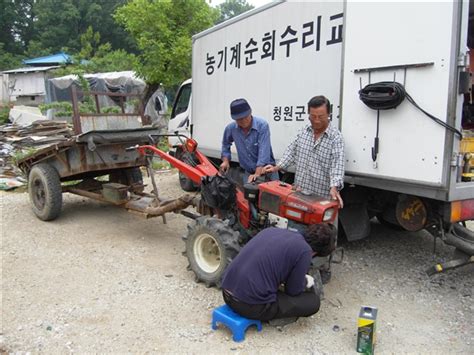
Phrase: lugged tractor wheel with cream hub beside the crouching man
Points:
(210, 247)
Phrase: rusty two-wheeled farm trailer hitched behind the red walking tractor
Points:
(96, 163)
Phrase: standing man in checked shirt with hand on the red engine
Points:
(317, 153)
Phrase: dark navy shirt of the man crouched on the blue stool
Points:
(271, 258)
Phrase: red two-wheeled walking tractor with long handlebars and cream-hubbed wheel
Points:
(230, 214)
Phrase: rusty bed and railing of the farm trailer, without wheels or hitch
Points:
(93, 153)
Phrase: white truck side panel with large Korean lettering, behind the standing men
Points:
(278, 81)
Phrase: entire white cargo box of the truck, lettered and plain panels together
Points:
(280, 55)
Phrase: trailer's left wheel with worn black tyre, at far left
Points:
(45, 192)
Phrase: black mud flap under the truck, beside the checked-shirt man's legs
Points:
(355, 221)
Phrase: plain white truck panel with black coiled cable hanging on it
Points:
(413, 44)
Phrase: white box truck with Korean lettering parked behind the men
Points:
(280, 55)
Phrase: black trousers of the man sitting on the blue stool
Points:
(304, 305)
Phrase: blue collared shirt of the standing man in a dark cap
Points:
(254, 148)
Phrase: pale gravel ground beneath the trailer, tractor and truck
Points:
(99, 279)
